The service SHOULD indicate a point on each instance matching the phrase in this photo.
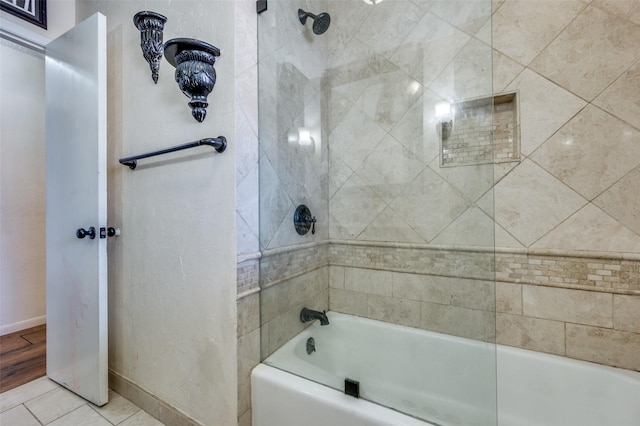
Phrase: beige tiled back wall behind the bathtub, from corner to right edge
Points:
(566, 218)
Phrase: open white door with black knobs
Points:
(77, 199)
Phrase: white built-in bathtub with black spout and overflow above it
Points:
(448, 380)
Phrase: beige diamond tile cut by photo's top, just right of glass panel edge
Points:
(522, 29)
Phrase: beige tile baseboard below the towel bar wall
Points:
(152, 404)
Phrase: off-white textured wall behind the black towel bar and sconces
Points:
(172, 314)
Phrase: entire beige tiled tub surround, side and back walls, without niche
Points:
(566, 229)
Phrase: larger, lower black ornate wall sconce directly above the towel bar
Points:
(195, 75)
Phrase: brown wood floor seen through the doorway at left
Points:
(22, 357)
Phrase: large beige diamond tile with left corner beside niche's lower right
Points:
(578, 156)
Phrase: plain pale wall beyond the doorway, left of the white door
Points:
(22, 188)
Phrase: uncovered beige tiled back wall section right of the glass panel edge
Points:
(571, 286)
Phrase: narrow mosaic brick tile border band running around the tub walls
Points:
(595, 271)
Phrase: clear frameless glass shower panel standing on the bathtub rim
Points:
(403, 100)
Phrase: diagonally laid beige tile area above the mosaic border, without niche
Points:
(556, 55)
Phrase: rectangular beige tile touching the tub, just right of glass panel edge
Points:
(530, 333)
